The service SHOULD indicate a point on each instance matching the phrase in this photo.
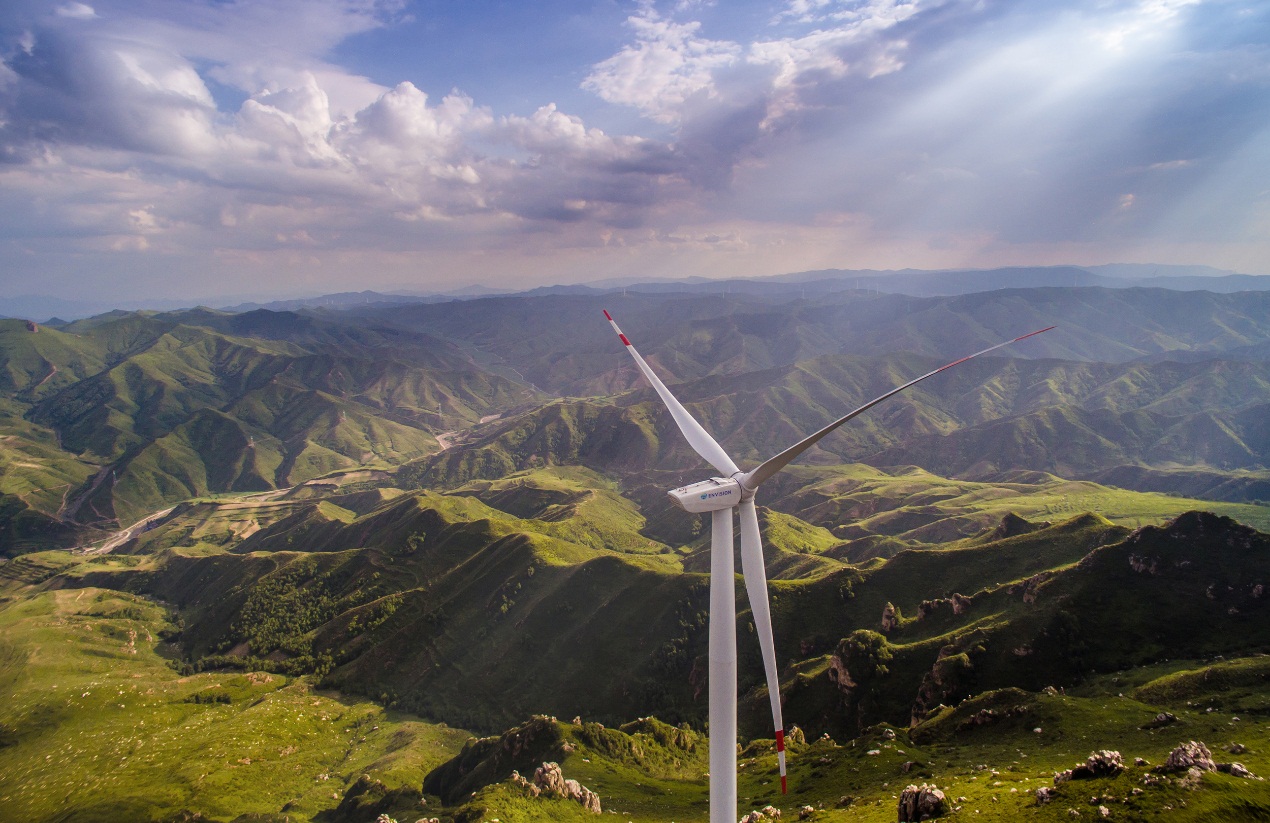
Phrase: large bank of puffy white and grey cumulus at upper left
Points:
(290, 167)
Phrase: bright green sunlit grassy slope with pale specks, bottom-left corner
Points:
(98, 728)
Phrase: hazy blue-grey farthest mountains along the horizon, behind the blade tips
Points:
(562, 345)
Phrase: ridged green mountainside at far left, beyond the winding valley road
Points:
(142, 411)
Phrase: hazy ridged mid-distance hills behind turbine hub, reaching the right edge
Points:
(1074, 420)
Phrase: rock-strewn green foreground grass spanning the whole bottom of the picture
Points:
(68, 657)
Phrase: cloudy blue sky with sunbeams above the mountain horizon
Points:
(218, 149)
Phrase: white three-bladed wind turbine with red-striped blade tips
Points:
(719, 496)
